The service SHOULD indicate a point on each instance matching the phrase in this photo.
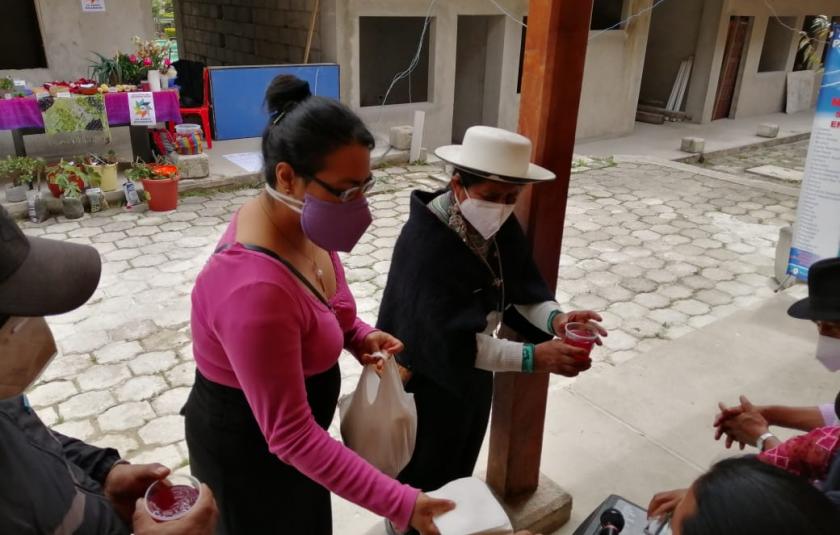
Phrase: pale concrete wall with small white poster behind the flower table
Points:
(71, 36)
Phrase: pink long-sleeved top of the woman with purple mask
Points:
(255, 327)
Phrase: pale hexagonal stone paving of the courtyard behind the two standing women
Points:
(658, 251)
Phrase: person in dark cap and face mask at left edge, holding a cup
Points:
(51, 483)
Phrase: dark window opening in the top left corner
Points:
(21, 46)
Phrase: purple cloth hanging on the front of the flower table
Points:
(24, 112)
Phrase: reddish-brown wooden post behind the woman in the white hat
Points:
(555, 53)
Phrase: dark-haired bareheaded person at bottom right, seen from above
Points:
(744, 496)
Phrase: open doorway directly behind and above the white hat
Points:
(478, 73)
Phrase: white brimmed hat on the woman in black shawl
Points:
(495, 154)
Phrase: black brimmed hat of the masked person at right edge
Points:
(823, 301)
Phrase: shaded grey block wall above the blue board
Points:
(246, 32)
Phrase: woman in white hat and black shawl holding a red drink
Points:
(461, 267)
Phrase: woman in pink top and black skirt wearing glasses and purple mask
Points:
(271, 313)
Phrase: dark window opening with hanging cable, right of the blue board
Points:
(386, 47)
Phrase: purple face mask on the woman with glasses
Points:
(335, 226)
